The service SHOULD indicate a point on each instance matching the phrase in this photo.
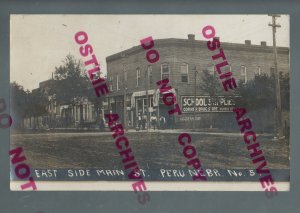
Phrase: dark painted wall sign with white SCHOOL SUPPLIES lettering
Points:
(208, 104)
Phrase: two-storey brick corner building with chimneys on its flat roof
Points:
(131, 76)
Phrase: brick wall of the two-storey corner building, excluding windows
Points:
(195, 54)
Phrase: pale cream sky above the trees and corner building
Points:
(39, 43)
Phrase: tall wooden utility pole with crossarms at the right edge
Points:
(279, 129)
